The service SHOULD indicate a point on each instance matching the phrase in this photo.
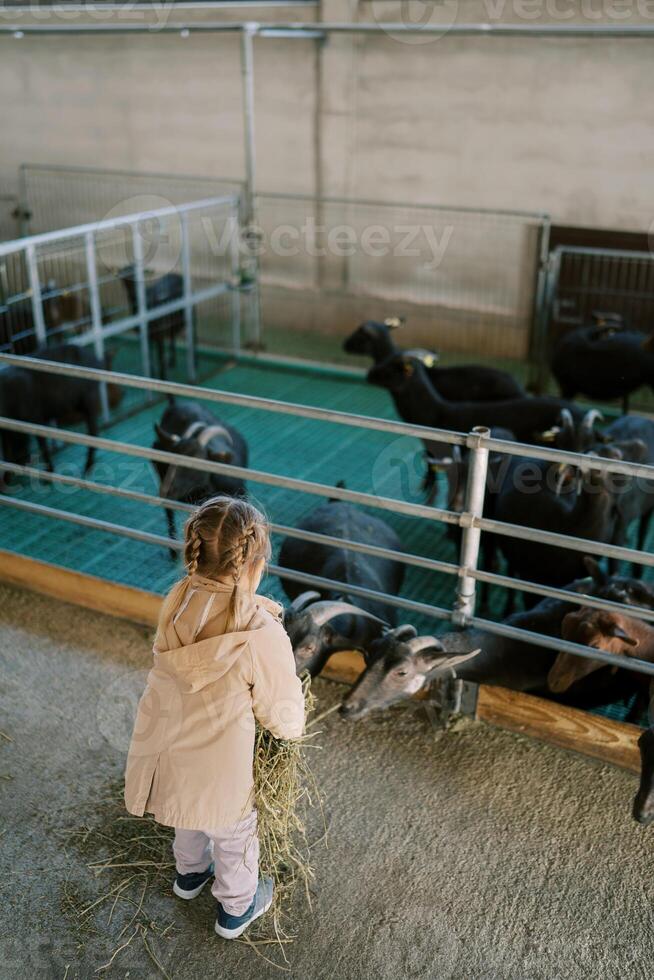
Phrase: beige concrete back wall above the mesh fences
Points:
(562, 126)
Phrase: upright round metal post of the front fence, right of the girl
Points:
(464, 606)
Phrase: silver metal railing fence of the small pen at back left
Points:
(98, 281)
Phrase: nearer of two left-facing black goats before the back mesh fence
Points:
(417, 401)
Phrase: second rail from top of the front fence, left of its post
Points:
(225, 469)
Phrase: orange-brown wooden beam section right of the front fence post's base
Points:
(568, 728)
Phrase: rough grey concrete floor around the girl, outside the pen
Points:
(474, 854)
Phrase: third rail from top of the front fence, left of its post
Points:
(137, 496)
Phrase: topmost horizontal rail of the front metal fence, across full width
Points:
(423, 432)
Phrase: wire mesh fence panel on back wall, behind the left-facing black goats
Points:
(466, 280)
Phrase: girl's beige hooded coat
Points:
(191, 754)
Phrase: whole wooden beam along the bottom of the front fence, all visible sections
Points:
(568, 728)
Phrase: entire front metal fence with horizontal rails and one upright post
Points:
(472, 522)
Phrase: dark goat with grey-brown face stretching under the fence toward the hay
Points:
(397, 668)
